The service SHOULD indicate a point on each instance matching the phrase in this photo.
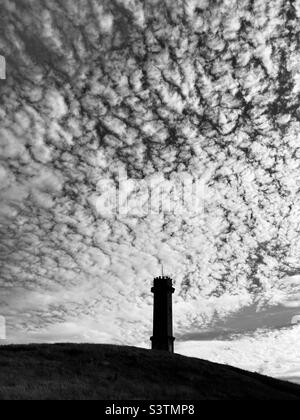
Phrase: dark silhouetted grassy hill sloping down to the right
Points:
(68, 371)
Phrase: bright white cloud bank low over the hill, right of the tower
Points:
(272, 353)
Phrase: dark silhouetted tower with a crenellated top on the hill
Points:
(163, 315)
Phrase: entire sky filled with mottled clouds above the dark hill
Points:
(136, 134)
